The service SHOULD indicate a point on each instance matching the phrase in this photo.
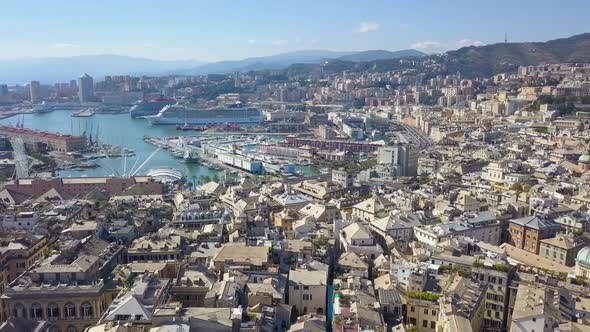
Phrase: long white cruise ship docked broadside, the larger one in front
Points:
(178, 114)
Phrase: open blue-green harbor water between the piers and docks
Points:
(114, 129)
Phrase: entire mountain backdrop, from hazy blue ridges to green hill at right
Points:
(472, 61)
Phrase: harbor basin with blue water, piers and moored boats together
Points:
(119, 141)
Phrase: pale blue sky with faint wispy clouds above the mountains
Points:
(221, 30)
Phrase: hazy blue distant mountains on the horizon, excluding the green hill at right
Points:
(48, 70)
